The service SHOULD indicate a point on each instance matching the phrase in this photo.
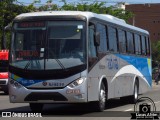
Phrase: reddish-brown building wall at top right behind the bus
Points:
(146, 16)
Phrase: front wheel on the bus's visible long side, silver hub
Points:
(101, 103)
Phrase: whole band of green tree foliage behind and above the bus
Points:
(8, 11)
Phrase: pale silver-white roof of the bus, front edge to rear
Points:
(88, 15)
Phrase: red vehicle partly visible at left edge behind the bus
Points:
(4, 70)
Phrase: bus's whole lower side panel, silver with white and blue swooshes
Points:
(121, 72)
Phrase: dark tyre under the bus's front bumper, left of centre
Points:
(36, 107)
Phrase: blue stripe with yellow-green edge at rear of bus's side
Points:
(142, 64)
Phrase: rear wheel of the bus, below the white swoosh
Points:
(134, 97)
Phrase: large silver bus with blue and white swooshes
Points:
(77, 57)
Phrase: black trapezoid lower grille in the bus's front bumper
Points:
(35, 96)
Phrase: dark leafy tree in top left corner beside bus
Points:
(8, 11)
